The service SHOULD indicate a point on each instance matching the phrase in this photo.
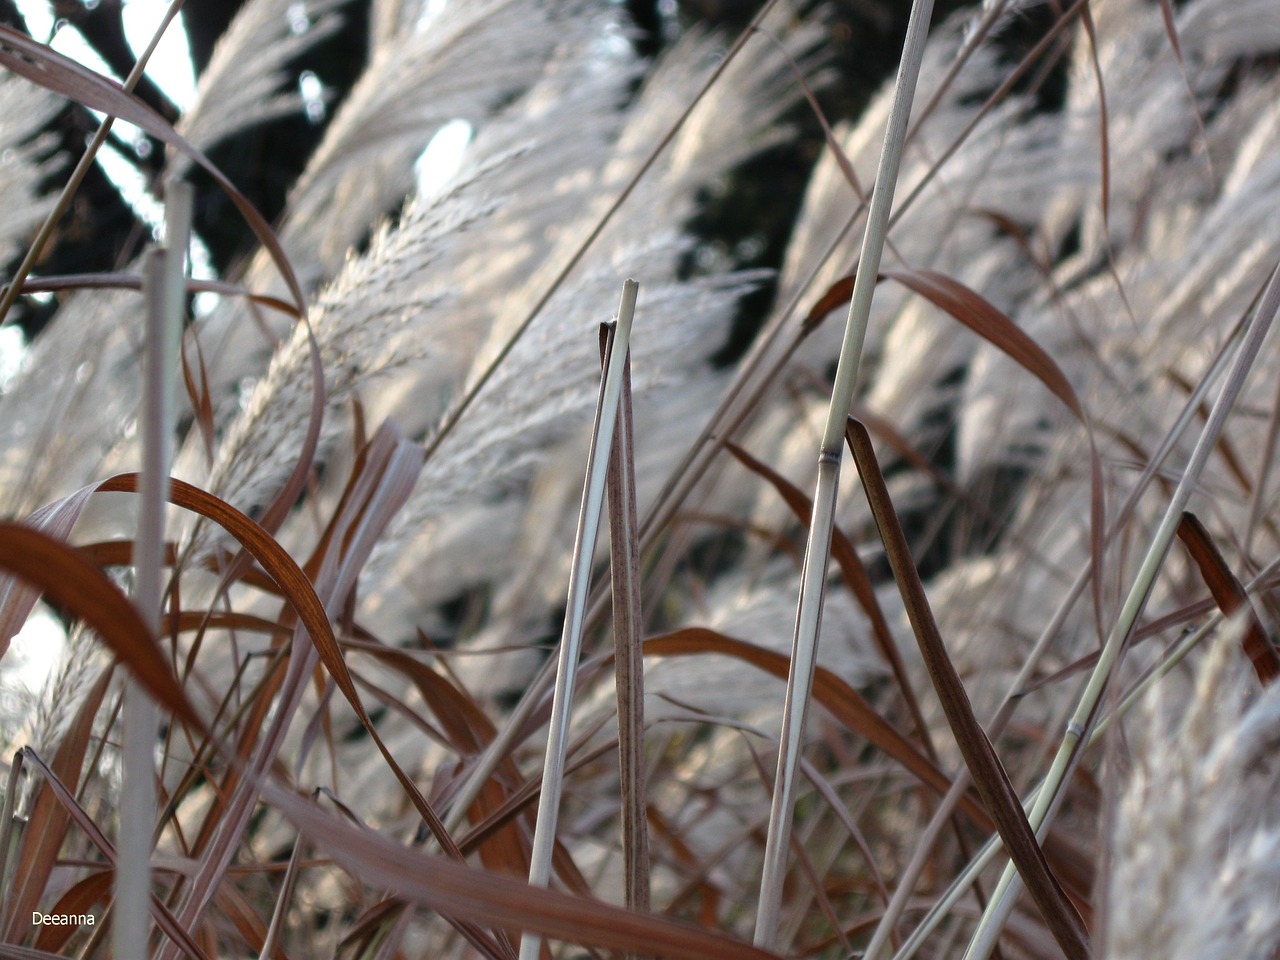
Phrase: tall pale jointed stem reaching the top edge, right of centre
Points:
(804, 646)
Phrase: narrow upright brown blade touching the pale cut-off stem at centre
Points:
(629, 659)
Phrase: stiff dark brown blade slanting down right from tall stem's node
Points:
(985, 766)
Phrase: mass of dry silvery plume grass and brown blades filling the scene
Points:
(382, 440)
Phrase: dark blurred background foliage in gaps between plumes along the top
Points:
(746, 222)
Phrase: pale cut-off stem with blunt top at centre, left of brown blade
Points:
(580, 575)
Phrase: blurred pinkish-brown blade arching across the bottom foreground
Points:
(460, 892)
